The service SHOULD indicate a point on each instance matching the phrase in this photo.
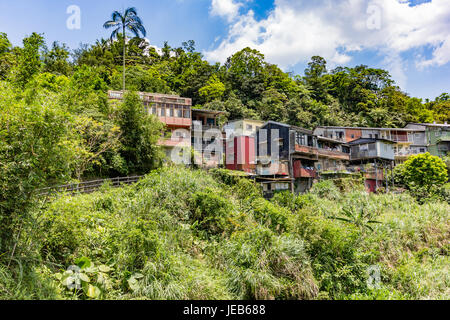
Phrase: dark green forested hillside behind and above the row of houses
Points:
(245, 86)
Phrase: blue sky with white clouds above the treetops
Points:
(411, 40)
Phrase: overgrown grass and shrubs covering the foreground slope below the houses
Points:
(188, 234)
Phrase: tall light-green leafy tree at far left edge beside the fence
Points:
(36, 150)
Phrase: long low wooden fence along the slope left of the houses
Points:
(88, 186)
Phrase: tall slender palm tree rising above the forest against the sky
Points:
(126, 21)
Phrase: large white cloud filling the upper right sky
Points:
(295, 30)
